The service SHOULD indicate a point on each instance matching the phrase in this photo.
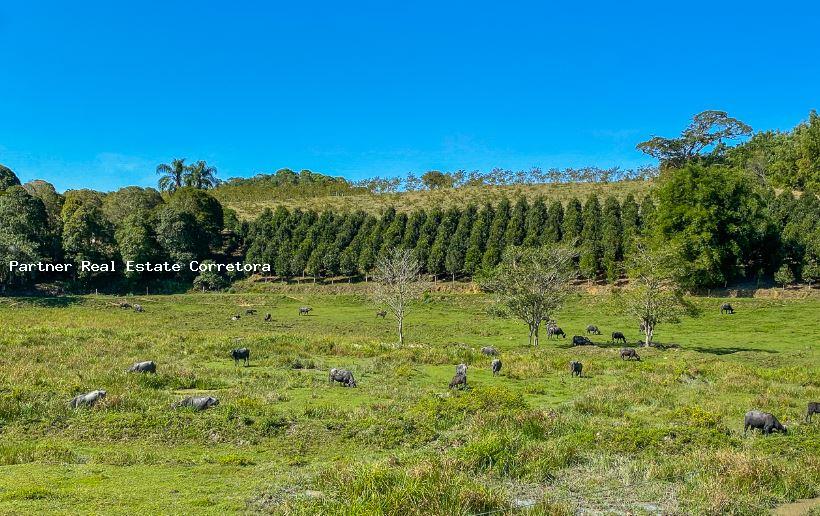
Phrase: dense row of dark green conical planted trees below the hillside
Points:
(453, 242)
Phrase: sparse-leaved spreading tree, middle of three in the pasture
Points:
(532, 283)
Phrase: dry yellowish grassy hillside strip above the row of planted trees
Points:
(248, 200)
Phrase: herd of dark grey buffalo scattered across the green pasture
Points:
(763, 421)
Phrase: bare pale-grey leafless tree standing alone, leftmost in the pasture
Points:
(397, 284)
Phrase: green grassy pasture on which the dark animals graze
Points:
(660, 435)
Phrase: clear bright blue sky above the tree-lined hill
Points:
(95, 94)
